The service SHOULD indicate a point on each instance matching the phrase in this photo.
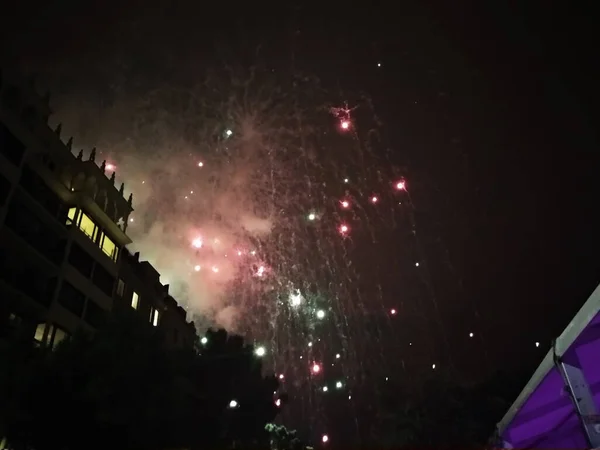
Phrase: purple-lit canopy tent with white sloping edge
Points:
(558, 407)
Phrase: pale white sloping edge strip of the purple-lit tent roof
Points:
(581, 320)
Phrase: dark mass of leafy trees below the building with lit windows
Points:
(121, 388)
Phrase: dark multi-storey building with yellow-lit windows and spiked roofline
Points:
(63, 233)
